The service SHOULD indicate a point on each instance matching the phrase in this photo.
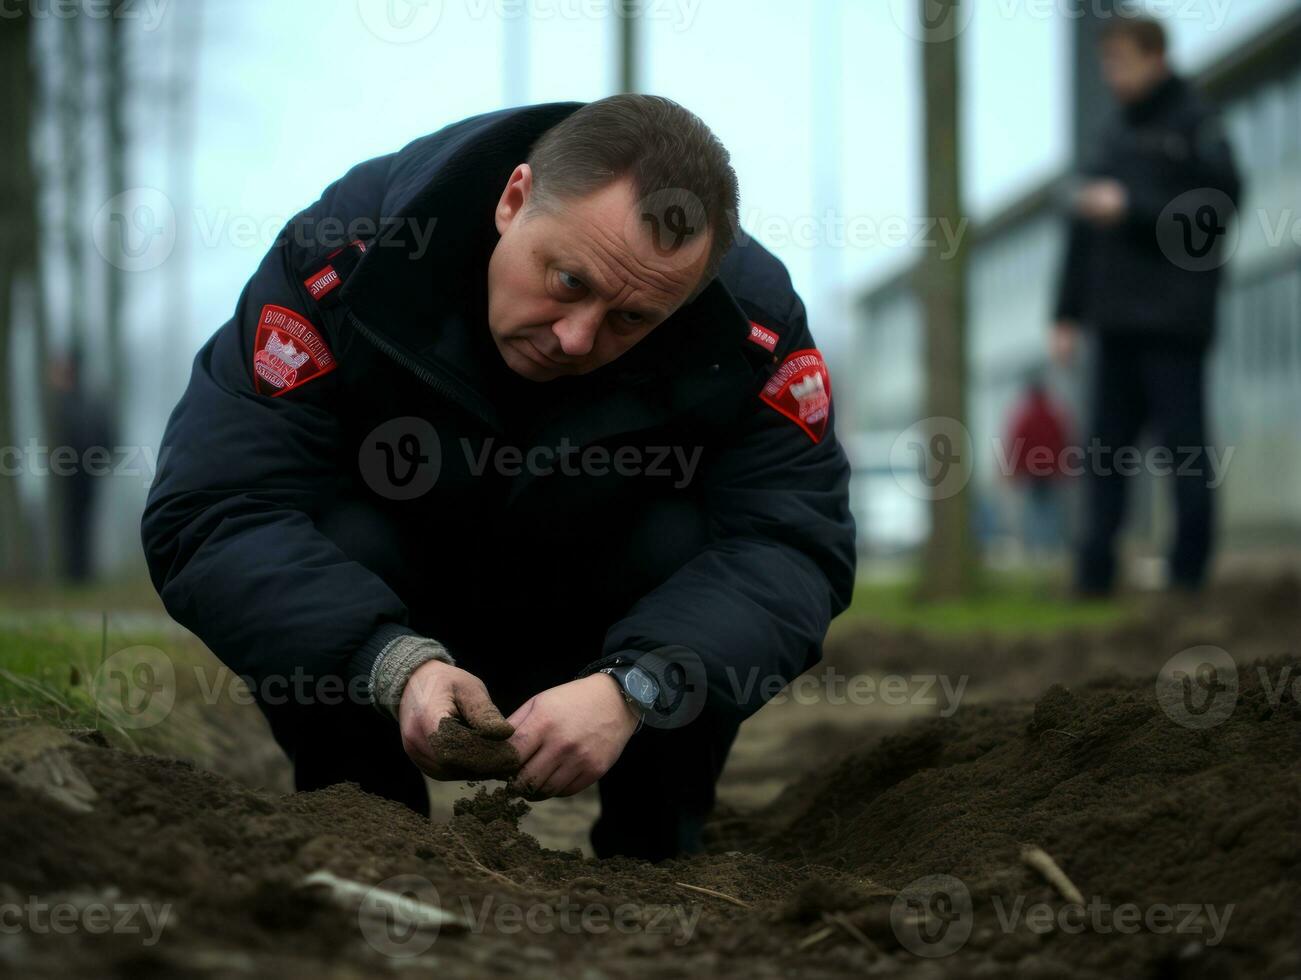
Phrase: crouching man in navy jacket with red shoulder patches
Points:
(511, 424)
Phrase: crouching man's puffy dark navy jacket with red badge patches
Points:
(745, 564)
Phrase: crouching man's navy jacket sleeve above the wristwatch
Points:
(750, 612)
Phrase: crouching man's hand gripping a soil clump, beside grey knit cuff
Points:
(435, 692)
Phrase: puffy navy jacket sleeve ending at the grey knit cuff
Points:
(228, 529)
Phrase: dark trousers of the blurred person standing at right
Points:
(1146, 382)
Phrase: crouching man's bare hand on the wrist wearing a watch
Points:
(570, 736)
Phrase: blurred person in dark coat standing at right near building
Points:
(1143, 271)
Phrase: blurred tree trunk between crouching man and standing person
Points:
(949, 563)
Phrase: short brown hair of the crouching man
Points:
(663, 148)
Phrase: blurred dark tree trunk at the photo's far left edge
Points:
(19, 219)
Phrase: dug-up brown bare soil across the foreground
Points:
(853, 839)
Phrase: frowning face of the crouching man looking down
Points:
(578, 286)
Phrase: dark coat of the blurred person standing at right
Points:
(1157, 271)
